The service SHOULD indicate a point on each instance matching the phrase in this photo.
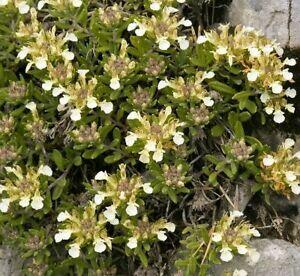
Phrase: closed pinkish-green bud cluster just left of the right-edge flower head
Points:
(239, 150)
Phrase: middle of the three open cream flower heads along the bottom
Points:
(143, 230)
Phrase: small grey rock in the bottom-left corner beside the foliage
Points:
(10, 264)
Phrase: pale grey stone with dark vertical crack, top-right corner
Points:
(278, 19)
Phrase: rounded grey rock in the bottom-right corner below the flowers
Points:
(277, 258)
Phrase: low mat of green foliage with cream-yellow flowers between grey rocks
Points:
(124, 130)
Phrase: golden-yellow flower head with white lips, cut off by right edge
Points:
(281, 169)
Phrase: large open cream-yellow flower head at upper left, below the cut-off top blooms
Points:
(46, 47)
